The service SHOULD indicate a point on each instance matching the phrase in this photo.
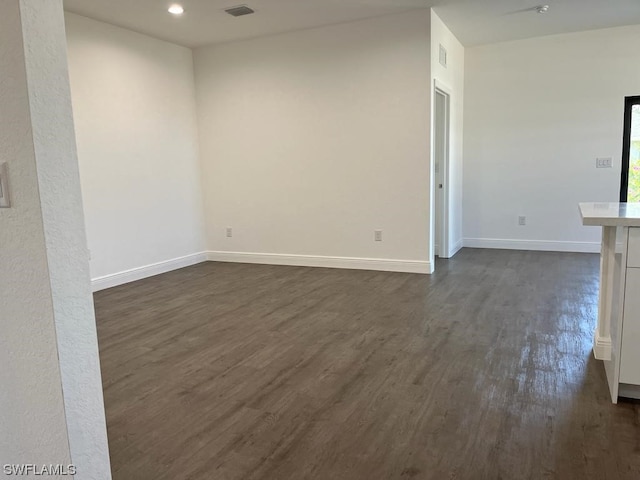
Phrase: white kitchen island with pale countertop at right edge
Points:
(617, 335)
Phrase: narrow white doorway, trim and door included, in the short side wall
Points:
(441, 128)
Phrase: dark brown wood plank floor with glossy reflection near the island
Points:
(480, 371)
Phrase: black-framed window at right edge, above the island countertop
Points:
(630, 182)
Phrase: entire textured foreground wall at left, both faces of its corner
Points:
(51, 407)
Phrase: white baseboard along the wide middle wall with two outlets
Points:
(406, 266)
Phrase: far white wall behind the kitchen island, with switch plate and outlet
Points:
(538, 113)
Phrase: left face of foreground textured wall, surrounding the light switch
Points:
(32, 421)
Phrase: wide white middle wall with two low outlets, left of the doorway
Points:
(312, 140)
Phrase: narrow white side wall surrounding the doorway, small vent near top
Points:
(452, 79)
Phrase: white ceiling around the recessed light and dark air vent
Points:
(474, 22)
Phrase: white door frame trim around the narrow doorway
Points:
(443, 241)
